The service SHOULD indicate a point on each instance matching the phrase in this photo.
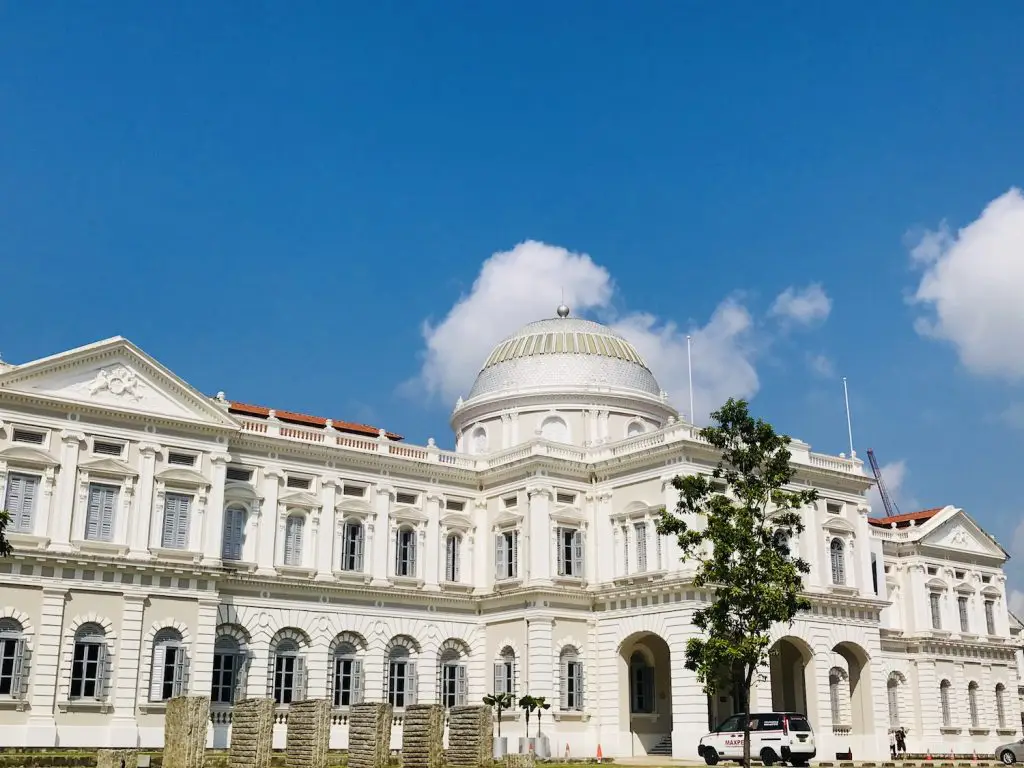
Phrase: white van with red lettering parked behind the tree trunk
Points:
(776, 737)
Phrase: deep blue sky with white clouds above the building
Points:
(288, 202)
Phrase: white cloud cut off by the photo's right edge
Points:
(972, 285)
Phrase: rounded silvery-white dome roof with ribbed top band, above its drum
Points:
(565, 355)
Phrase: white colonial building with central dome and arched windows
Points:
(170, 543)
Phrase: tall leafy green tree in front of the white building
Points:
(740, 538)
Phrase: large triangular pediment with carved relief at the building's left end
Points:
(118, 376)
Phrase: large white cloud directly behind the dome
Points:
(525, 284)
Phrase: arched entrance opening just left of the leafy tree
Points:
(646, 664)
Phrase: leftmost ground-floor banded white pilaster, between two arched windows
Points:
(41, 731)
